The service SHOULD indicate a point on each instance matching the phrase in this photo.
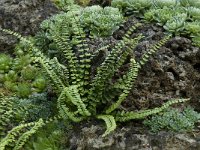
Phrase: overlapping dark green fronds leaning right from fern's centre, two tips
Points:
(111, 64)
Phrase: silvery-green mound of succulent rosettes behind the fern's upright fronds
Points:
(95, 19)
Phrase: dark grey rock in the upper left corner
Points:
(23, 16)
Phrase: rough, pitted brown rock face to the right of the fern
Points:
(173, 72)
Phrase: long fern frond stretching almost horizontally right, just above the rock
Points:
(125, 116)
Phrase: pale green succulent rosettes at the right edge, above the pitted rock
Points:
(177, 20)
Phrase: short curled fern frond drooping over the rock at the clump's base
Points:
(110, 123)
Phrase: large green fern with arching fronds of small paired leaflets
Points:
(81, 94)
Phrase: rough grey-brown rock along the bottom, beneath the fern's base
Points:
(130, 138)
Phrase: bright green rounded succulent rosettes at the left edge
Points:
(19, 77)
